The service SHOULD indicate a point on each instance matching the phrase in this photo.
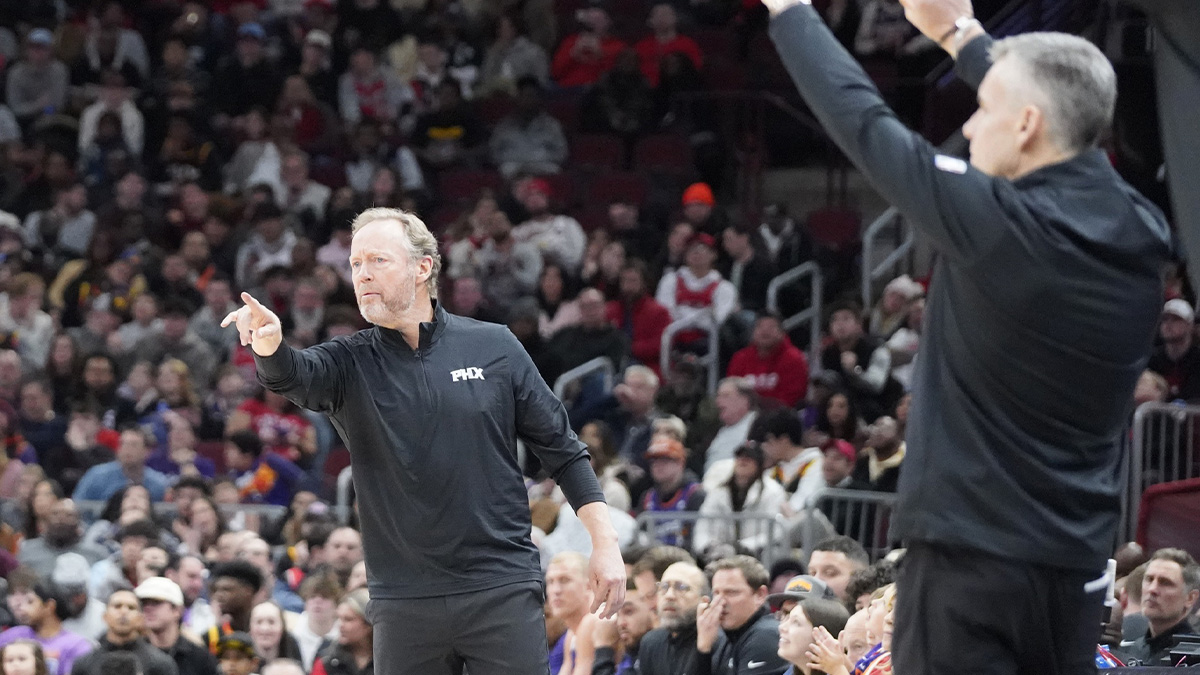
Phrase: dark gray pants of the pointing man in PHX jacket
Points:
(496, 632)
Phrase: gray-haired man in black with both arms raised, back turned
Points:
(1040, 321)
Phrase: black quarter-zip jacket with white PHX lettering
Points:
(433, 435)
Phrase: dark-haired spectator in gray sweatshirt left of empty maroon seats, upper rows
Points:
(529, 140)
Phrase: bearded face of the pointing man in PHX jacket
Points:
(386, 277)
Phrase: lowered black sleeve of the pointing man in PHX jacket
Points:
(544, 427)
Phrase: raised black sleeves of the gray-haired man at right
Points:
(946, 199)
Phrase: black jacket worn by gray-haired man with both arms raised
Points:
(1042, 312)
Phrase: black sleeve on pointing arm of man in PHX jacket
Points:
(313, 379)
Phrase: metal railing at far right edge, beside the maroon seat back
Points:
(1166, 447)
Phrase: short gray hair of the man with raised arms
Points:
(1077, 80)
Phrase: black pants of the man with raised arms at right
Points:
(967, 613)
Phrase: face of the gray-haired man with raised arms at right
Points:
(1005, 126)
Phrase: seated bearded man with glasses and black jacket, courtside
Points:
(671, 648)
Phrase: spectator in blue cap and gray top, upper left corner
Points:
(38, 85)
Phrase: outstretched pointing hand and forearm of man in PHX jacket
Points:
(310, 379)
